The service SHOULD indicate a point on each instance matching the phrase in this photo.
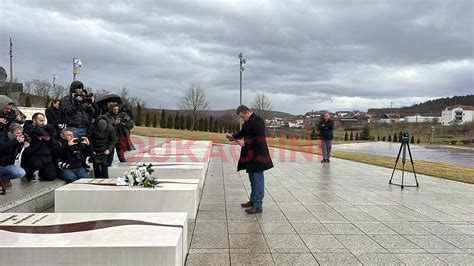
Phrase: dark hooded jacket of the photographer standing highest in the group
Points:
(75, 113)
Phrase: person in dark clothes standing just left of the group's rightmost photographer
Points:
(103, 138)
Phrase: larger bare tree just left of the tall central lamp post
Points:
(194, 101)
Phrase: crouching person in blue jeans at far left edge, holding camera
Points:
(11, 143)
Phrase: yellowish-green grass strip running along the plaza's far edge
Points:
(443, 170)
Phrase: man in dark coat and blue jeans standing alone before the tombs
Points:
(254, 156)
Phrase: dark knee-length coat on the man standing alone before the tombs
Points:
(254, 155)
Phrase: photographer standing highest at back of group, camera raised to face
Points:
(78, 109)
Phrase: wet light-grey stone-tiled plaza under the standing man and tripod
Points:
(338, 213)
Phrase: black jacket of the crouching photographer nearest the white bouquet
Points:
(72, 157)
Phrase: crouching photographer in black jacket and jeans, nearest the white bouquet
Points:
(71, 154)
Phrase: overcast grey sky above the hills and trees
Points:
(333, 55)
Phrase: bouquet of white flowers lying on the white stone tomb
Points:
(139, 176)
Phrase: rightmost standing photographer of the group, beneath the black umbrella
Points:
(122, 123)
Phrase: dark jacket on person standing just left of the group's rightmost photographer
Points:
(102, 139)
